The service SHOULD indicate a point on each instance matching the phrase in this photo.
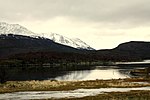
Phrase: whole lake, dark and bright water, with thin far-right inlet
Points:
(89, 72)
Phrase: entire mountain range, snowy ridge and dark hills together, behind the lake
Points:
(17, 40)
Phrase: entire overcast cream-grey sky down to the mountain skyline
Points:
(102, 24)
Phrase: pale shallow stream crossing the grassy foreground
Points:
(63, 94)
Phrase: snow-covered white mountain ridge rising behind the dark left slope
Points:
(17, 29)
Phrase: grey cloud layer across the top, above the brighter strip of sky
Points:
(109, 11)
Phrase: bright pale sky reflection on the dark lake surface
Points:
(100, 72)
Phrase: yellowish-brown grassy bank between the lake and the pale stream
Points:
(14, 86)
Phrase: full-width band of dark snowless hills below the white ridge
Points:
(11, 44)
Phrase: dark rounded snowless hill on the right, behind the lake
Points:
(127, 51)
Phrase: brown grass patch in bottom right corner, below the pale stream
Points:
(130, 95)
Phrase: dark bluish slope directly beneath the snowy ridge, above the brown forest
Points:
(14, 44)
